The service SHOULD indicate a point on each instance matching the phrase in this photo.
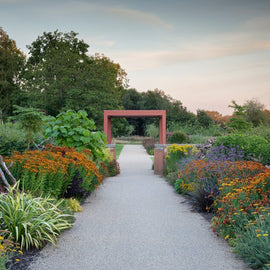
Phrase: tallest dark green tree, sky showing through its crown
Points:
(52, 70)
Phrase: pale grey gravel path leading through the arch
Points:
(136, 221)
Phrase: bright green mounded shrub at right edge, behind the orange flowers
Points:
(254, 145)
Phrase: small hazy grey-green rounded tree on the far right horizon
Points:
(255, 112)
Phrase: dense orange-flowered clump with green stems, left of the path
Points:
(58, 171)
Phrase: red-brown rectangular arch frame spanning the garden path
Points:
(161, 114)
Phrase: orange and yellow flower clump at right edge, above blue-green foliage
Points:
(240, 197)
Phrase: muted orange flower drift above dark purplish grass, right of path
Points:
(199, 178)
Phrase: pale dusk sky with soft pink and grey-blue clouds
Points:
(204, 53)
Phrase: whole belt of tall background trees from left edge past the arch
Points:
(58, 75)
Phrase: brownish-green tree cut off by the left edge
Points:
(11, 61)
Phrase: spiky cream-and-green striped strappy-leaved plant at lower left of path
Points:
(31, 221)
